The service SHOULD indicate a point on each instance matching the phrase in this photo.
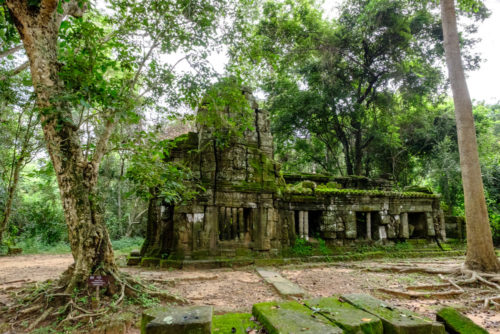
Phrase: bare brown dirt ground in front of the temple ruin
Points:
(230, 290)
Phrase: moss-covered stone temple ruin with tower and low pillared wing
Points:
(248, 206)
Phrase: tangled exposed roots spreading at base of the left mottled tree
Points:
(43, 303)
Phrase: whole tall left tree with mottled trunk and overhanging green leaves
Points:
(97, 78)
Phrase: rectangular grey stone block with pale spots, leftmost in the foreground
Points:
(176, 320)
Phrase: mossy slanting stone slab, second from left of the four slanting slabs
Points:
(349, 318)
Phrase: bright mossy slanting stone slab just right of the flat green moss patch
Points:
(291, 317)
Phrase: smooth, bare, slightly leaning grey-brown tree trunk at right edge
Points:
(480, 251)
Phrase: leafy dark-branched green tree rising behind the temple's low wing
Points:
(335, 81)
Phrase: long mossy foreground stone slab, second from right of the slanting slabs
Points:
(395, 320)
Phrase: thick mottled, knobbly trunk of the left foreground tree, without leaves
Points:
(76, 176)
